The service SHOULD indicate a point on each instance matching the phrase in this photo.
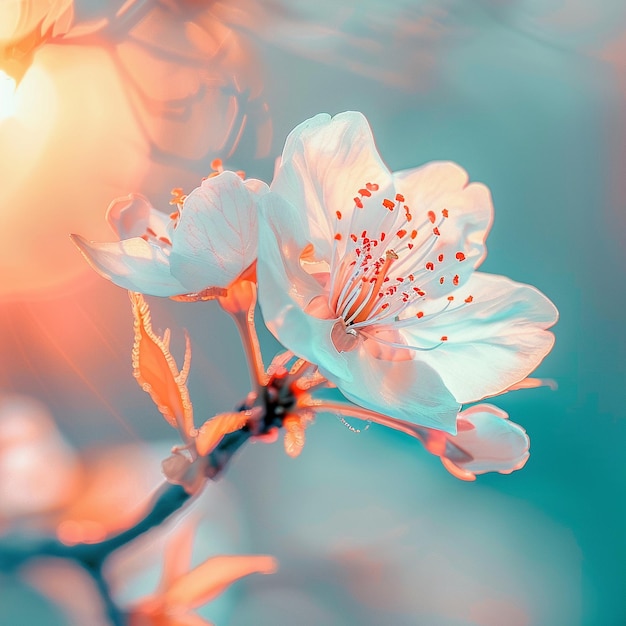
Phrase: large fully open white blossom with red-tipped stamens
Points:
(370, 275)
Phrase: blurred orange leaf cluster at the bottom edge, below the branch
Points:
(181, 591)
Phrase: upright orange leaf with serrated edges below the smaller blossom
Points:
(156, 371)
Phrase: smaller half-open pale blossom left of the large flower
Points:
(199, 249)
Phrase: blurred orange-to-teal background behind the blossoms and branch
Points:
(102, 98)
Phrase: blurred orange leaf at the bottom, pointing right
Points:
(212, 577)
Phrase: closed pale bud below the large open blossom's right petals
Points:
(493, 443)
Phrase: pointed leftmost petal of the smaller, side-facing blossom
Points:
(133, 264)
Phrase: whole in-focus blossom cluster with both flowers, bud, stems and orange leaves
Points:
(369, 278)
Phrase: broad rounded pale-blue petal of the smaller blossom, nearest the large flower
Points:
(216, 236)
